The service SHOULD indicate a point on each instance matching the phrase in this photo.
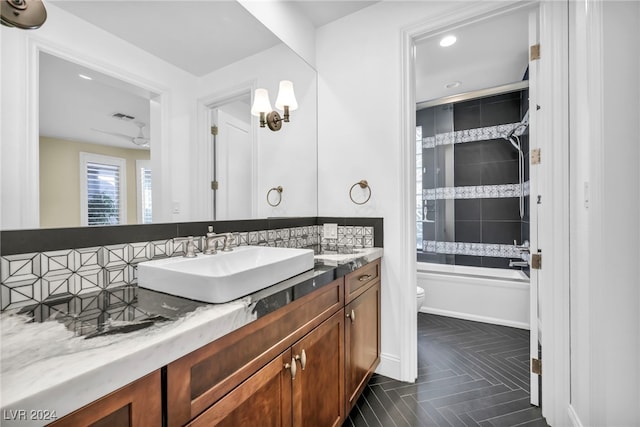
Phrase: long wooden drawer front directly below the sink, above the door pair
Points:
(199, 379)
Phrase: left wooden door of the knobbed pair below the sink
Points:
(263, 400)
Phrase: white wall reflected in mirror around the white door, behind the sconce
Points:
(287, 157)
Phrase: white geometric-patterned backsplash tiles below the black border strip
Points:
(44, 276)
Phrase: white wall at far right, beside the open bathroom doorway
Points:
(605, 296)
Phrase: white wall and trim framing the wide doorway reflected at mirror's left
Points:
(76, 40)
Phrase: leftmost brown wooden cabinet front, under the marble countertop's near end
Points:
(138, 404)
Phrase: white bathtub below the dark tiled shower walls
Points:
(491, 295)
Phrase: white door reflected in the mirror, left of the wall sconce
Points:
(233, 167)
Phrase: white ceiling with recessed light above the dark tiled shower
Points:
(486, 54)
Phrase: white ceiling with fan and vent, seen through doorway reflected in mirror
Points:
(81, 104)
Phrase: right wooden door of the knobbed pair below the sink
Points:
(318, 388)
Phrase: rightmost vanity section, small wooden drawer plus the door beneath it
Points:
(362, 330)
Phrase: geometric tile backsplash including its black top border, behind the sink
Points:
(49, 264)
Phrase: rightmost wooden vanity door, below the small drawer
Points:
(362, 342)
